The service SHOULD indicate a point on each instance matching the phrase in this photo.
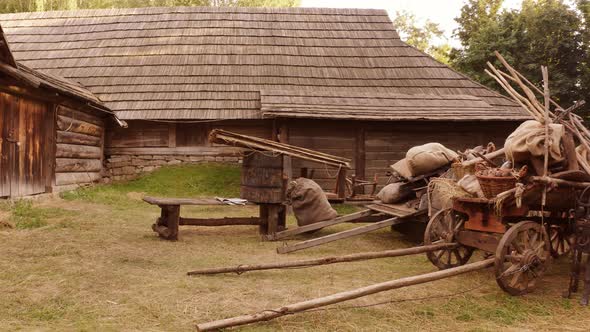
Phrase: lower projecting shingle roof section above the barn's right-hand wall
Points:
(377, 106)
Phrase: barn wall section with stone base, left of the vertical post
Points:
(147, 145)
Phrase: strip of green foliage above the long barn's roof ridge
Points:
(13, 6)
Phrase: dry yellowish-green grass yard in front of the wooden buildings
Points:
(90, 261)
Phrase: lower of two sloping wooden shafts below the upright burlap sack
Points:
(342, 235)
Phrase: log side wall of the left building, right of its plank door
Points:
(79, 147)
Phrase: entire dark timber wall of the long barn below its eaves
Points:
(372, 146)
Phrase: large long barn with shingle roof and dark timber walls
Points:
(339, 81)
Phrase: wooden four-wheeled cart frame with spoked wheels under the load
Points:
(522, 237)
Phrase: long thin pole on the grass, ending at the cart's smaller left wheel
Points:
(326, 260)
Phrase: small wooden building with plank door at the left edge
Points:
(51, 130)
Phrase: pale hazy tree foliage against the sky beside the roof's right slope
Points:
(422, 37)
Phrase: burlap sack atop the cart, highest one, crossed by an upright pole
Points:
(528, 141)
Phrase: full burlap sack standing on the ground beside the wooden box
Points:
(310, 204)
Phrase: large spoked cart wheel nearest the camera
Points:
(522, 257)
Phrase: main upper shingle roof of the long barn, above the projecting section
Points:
(212, 63)
